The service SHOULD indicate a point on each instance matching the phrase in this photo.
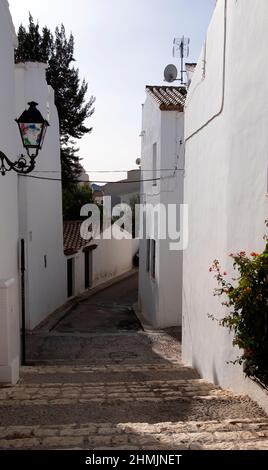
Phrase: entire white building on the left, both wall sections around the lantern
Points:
(30, 207)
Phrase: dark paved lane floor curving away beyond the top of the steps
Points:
(99, 329)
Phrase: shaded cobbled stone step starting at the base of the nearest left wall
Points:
(100, 392)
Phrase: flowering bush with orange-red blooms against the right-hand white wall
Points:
(247, 302)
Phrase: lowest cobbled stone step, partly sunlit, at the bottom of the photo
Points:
(226, 434)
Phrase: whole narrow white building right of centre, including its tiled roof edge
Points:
(162, 163)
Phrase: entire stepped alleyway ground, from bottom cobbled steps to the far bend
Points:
(98, 381)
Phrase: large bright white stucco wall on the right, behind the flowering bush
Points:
(226, 175)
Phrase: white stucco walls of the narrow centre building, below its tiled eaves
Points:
(160, 298)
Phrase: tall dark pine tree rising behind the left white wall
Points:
(70, 94)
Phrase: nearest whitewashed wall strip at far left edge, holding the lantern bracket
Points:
(9, 310)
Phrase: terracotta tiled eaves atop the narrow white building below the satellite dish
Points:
(169, 98)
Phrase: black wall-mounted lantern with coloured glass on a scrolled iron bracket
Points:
(32, 128)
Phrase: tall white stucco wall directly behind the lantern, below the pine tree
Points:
(41, 204)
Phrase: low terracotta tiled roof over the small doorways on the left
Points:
(72, 239)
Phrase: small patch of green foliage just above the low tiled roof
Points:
(74, 197)
